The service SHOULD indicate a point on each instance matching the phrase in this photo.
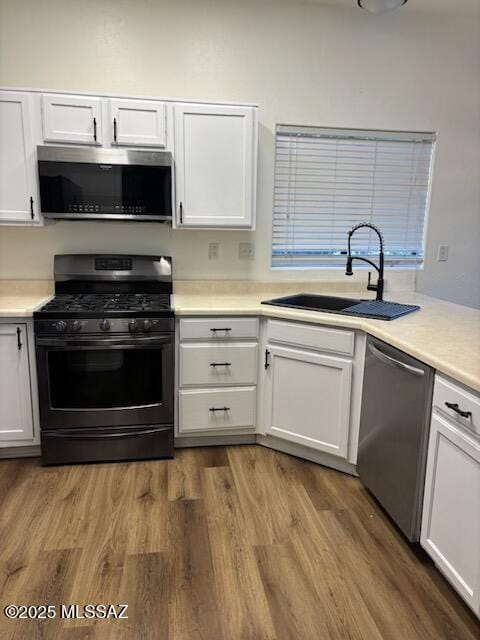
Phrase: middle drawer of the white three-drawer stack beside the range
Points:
(218, 364)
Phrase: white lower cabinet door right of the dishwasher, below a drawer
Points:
(451, 508)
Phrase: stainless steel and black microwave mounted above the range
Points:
(105, 184)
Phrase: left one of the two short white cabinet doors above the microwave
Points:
(76, 119)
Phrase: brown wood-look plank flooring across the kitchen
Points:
(221, 543)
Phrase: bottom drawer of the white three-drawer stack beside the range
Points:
(236, 409)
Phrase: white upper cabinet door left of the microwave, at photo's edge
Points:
(17, 159)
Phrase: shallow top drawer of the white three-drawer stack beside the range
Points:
(220, 329)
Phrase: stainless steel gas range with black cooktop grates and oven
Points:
(105, 359)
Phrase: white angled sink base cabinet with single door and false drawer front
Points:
(310, 396)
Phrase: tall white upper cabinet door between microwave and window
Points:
(215, 163)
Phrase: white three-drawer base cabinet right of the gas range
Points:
(217, 376)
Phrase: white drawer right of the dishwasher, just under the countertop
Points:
(445, 391)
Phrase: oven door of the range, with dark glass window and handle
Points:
(107, 381)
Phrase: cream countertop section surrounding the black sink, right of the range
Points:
(444, 335)
